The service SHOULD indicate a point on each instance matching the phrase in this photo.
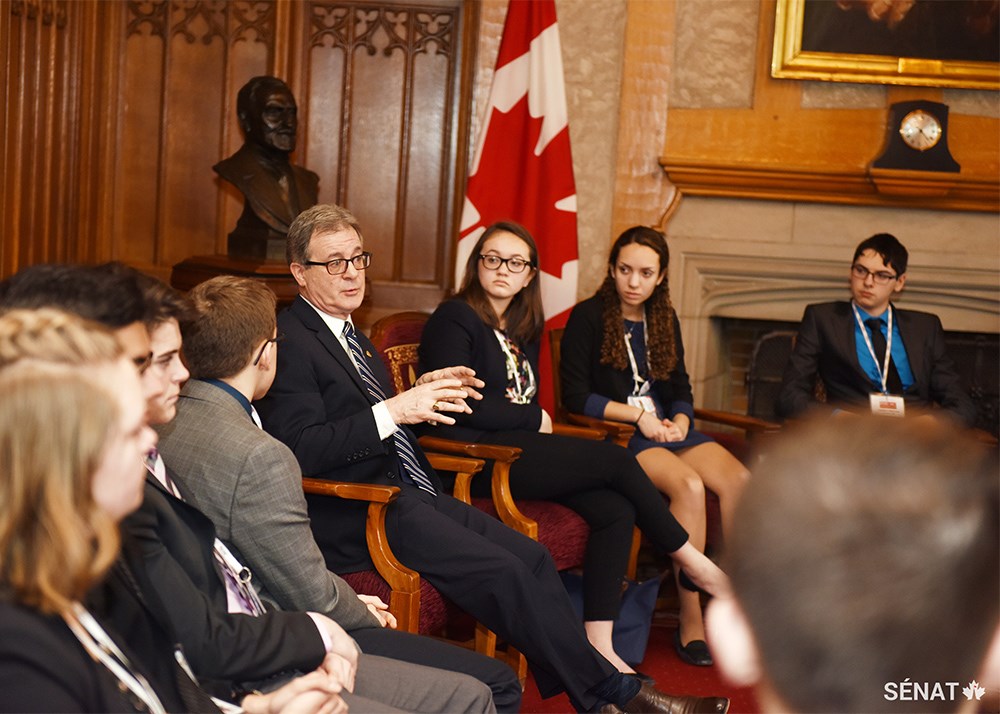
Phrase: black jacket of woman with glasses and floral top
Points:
(455, 335)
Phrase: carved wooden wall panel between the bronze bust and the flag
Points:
(382, 90)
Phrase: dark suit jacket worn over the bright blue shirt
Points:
(826, 346)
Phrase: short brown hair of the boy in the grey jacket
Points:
(232, 317)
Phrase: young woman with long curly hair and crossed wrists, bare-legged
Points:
(623, 359)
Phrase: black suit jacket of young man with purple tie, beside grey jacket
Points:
(176, 559)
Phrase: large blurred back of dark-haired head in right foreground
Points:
(864, 554)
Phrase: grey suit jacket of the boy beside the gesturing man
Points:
(249, 484)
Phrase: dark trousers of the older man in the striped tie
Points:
(505, 580)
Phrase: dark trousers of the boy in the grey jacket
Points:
(430, 652)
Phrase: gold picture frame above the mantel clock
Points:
(790, 61)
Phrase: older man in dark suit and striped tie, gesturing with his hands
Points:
(331, 404)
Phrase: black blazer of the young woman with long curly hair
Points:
(582, 373)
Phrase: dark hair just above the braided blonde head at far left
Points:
(108, 293)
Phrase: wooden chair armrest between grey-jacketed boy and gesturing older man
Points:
(404, 601)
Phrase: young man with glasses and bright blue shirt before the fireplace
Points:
(846, 345)
